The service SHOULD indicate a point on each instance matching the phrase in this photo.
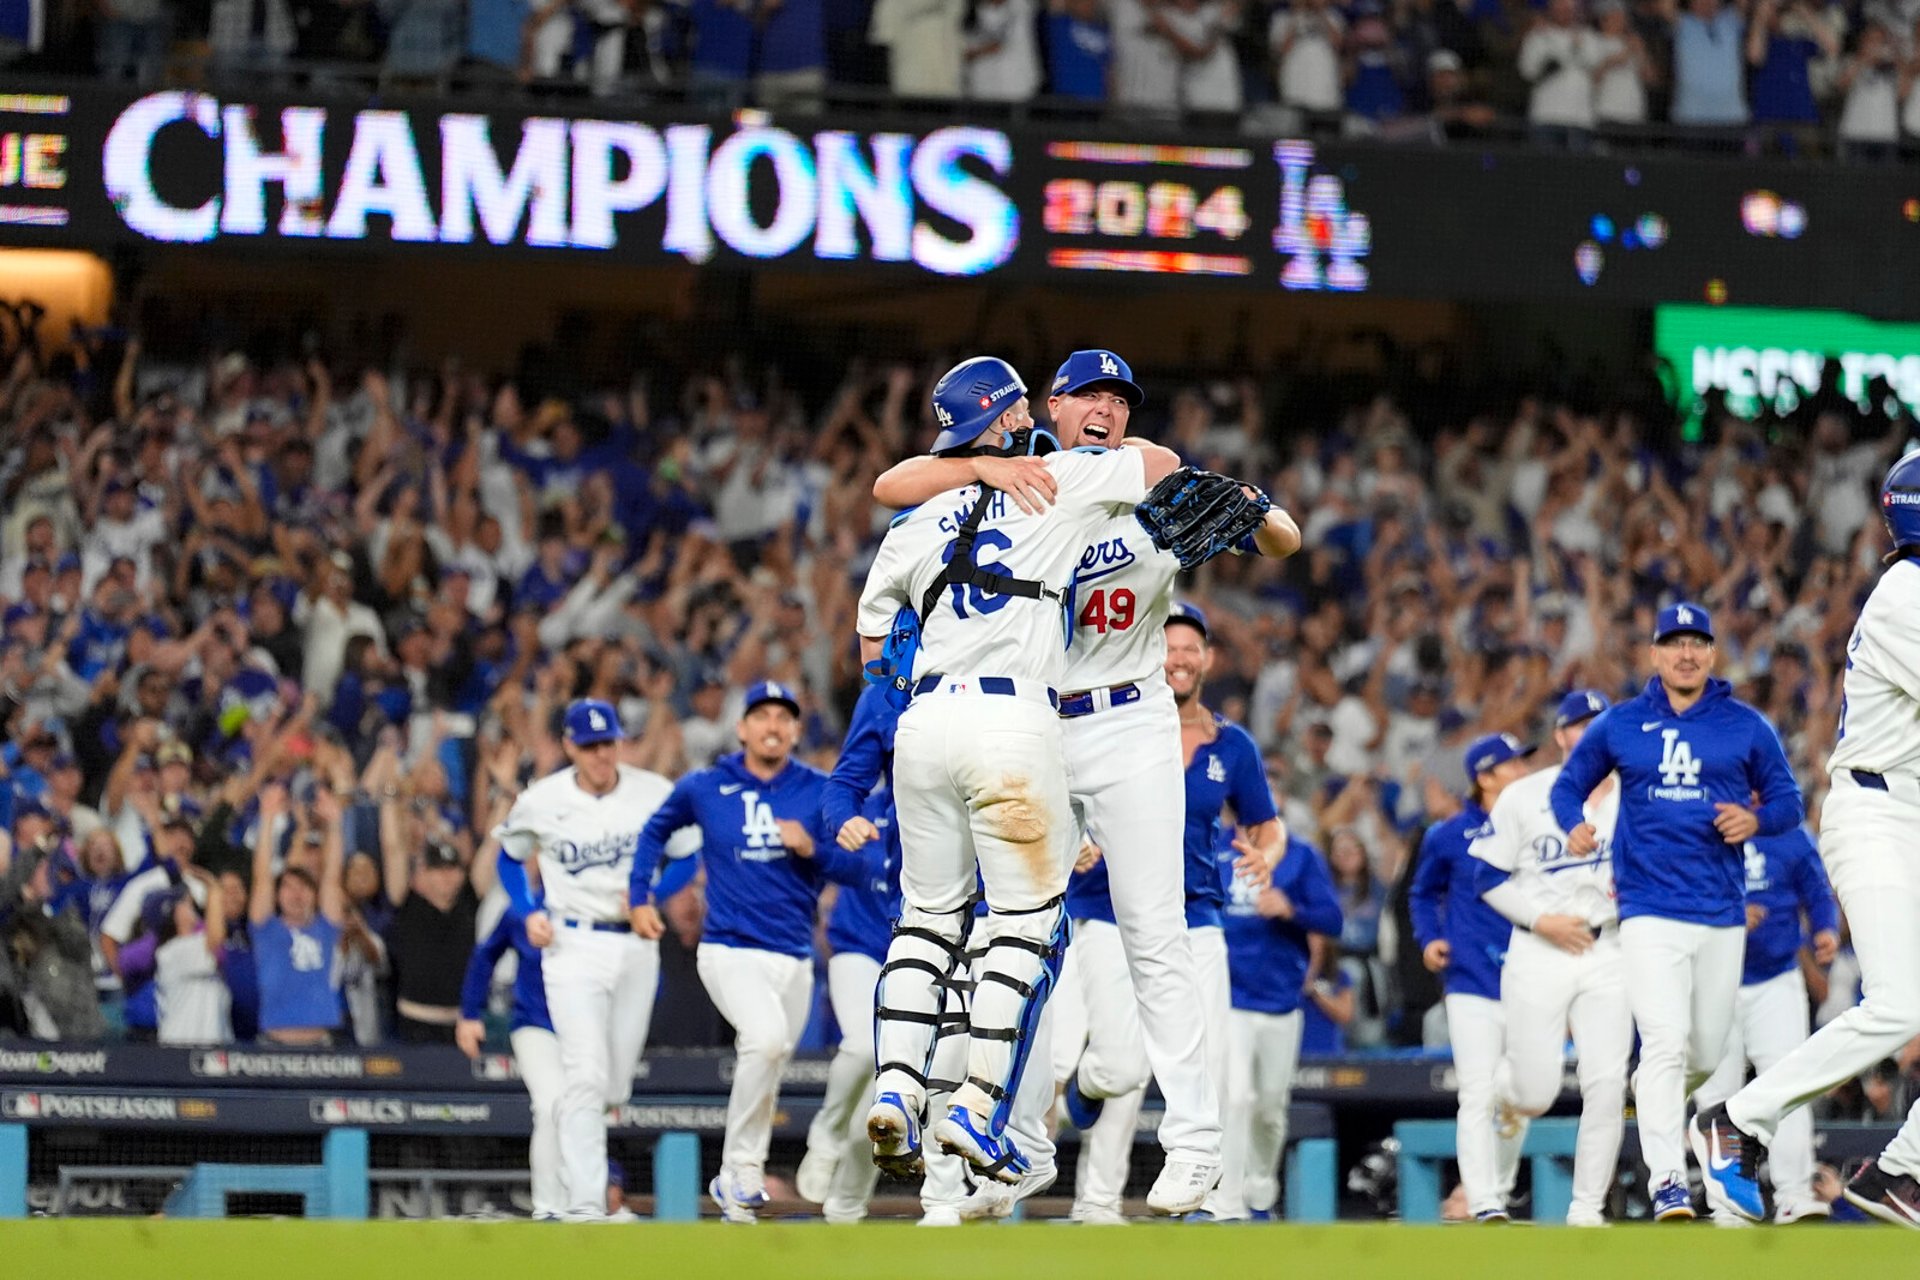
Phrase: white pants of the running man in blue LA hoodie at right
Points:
(1683, 984)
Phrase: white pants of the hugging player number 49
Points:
(1130, 788)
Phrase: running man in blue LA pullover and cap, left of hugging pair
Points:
(767, 857)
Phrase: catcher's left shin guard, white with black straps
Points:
(919, 1001)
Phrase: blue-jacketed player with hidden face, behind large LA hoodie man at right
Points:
(1790, 909)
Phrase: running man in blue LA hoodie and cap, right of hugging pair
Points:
(1691, 761)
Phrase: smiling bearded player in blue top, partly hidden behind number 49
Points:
(1224, 772)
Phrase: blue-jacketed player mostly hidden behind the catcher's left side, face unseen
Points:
(857, 805)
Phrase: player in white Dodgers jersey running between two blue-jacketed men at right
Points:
(1564, 962)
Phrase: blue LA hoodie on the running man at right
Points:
(1668, 857)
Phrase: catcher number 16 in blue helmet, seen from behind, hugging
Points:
(980, 763)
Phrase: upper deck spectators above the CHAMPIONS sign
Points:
(1788, 76)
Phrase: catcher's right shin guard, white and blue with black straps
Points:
(1015, 976)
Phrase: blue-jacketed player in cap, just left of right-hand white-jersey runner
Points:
(1468, 941)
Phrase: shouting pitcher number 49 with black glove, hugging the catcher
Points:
(1124, 744)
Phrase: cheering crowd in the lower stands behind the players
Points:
(283, 638)
